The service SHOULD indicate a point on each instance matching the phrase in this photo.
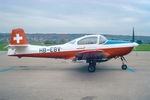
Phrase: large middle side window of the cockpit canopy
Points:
(88, 40)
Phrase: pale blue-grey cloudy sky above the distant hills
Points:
(76, 16)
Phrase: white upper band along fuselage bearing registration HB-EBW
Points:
(30, 49)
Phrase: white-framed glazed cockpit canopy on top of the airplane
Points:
(89, 39)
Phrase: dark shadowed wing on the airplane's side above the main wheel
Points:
(91, 54)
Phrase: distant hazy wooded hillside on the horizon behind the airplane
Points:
(63, 38)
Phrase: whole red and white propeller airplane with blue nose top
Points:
(92, 48)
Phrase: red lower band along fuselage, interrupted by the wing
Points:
(69, 54)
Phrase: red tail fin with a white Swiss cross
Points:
(18, 37)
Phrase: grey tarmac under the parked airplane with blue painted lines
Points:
(58, 79)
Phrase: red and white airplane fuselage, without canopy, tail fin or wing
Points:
(67, 51)
